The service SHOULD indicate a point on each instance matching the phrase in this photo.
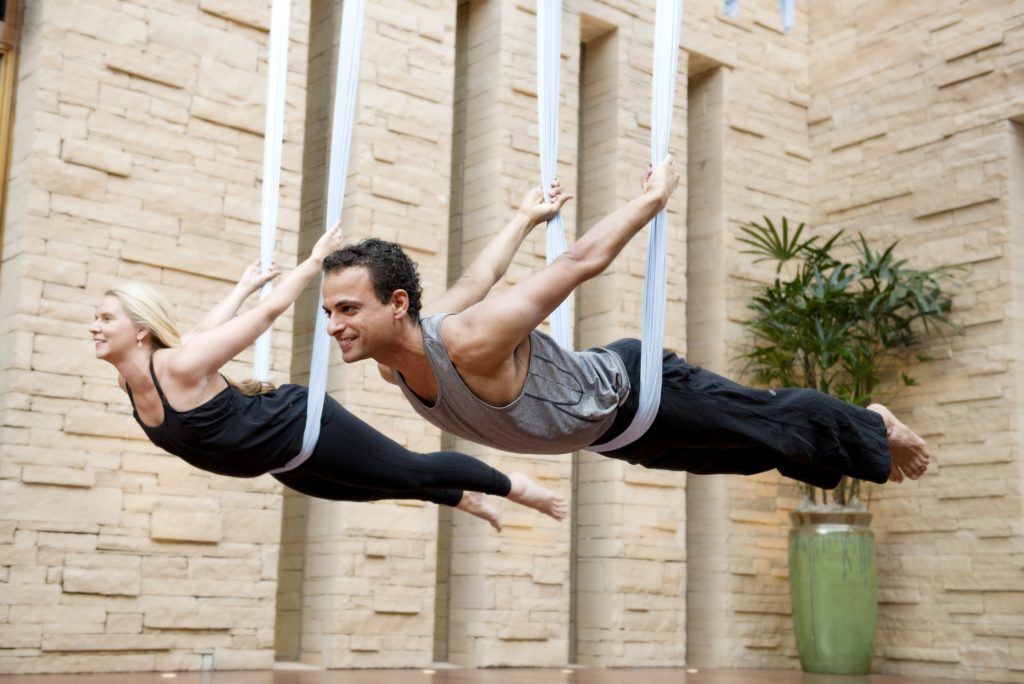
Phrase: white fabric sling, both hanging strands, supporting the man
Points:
(667, 26)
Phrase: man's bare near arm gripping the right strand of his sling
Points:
(486, 335)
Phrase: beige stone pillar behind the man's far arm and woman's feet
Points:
(509, 593)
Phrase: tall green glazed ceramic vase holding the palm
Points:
(833, 584)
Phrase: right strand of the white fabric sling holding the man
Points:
(667, 27)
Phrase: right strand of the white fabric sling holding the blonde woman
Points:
(347, 89)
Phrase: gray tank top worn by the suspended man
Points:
(569, 401)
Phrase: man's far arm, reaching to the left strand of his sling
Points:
(492, 264)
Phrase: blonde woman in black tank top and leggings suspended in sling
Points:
(189, 409)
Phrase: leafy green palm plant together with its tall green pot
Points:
(844, 327)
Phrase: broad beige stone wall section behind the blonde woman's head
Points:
(137, 153)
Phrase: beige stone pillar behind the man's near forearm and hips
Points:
(631, 572)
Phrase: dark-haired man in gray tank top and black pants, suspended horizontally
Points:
(478, 368)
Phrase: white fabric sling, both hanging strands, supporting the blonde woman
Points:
(342, 139)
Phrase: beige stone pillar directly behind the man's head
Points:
(369, 570)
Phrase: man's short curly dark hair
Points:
(391, 270)
